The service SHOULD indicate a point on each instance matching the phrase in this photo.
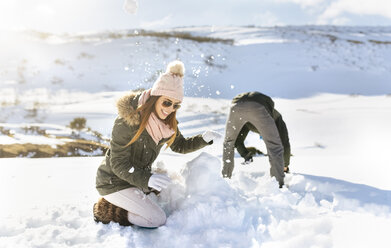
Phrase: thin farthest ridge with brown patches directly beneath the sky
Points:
(354, 34)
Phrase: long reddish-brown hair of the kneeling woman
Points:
(145, 110)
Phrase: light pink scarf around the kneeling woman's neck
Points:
(155, 127)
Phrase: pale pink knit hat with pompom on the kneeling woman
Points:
(170, 83)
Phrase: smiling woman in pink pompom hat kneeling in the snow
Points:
(146, 121)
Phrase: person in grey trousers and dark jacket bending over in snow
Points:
(254, 111)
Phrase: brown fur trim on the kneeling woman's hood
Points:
(127, 105)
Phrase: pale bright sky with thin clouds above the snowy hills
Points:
(94, 15)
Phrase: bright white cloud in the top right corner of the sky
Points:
(338, 8)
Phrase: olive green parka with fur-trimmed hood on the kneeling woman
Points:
(130, 166)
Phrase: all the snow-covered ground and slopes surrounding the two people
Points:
(334, 98)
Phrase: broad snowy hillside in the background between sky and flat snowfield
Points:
(287, 62)
